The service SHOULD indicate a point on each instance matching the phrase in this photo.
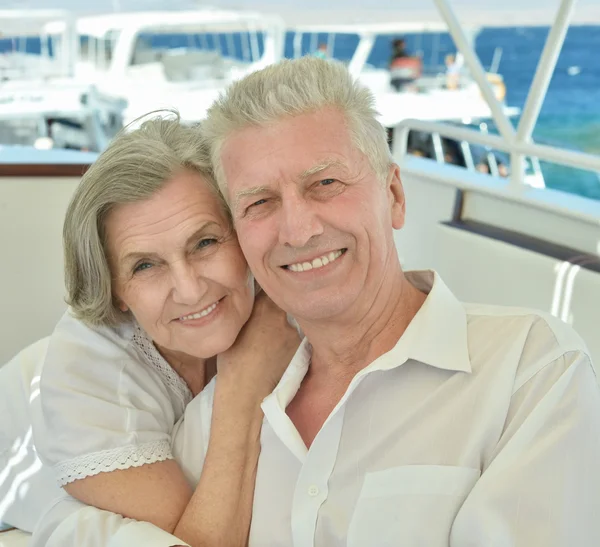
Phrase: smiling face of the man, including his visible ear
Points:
(313, 219)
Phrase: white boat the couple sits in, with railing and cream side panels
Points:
(493, 239)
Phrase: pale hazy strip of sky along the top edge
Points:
(488, 12)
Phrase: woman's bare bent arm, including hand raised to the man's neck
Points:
(218, 512)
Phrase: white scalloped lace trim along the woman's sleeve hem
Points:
(104, 461)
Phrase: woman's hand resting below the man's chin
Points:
(261, 352)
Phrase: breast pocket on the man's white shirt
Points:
(411, 506)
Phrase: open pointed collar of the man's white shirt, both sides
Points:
(437, 336)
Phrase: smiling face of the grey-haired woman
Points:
(178, 268)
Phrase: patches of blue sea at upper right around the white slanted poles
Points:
(570, 115)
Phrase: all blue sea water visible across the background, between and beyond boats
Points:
(570, 114)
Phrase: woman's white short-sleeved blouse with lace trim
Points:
(107, 401)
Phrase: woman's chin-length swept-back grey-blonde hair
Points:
(133, 168)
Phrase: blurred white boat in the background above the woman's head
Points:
(117, 55)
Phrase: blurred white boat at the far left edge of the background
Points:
(41, 105)
